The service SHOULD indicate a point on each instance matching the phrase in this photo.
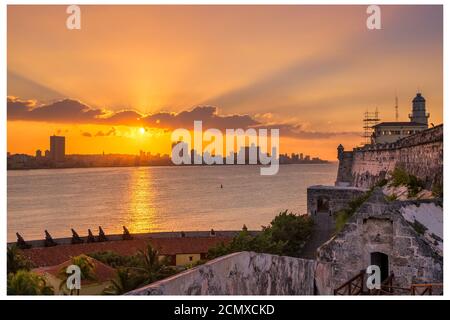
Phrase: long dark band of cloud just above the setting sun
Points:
(76, 112)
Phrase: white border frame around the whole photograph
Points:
(3, 147)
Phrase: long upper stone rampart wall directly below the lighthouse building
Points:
(420, 154)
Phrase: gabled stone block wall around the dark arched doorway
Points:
(377, 227)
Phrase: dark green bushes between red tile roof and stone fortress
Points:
(286, 235)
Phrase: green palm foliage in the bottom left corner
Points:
(25, 282)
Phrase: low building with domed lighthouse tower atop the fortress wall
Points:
(389, 132)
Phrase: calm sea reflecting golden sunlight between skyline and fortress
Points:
(150, 199)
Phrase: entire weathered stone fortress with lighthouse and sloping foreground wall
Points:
(402, 236)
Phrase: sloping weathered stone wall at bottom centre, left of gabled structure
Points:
(241, 273)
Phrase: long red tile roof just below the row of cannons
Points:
(51, 256)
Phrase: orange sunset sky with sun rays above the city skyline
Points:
(311, 71)
